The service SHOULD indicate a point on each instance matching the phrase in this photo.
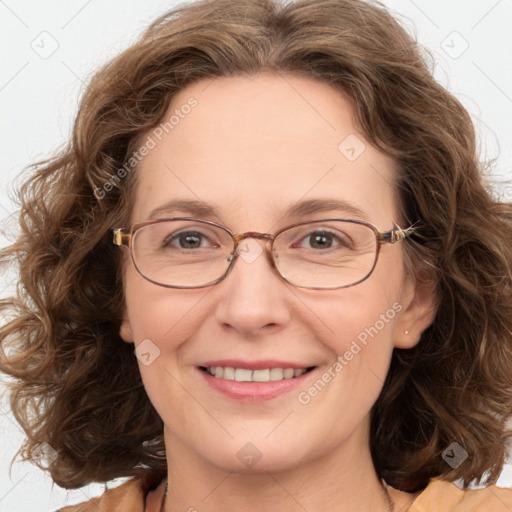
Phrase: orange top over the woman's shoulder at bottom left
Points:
(139, 494)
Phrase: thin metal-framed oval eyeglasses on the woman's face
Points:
(184, 252)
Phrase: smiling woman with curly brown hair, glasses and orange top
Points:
(266, 274)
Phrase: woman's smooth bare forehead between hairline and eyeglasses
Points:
(251, 147)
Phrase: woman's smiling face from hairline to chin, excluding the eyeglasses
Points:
(252, 147)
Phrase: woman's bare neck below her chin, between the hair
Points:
(343, 480)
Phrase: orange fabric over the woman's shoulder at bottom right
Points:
(443, 496)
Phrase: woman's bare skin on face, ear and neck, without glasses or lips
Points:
(251, 146)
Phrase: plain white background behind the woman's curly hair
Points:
(471, 42)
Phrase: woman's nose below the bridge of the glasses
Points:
(253, 298)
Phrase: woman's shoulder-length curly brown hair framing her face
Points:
(76, 384)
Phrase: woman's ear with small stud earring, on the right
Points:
(420, 302)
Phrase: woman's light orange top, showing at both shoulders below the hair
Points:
(146, 494)
